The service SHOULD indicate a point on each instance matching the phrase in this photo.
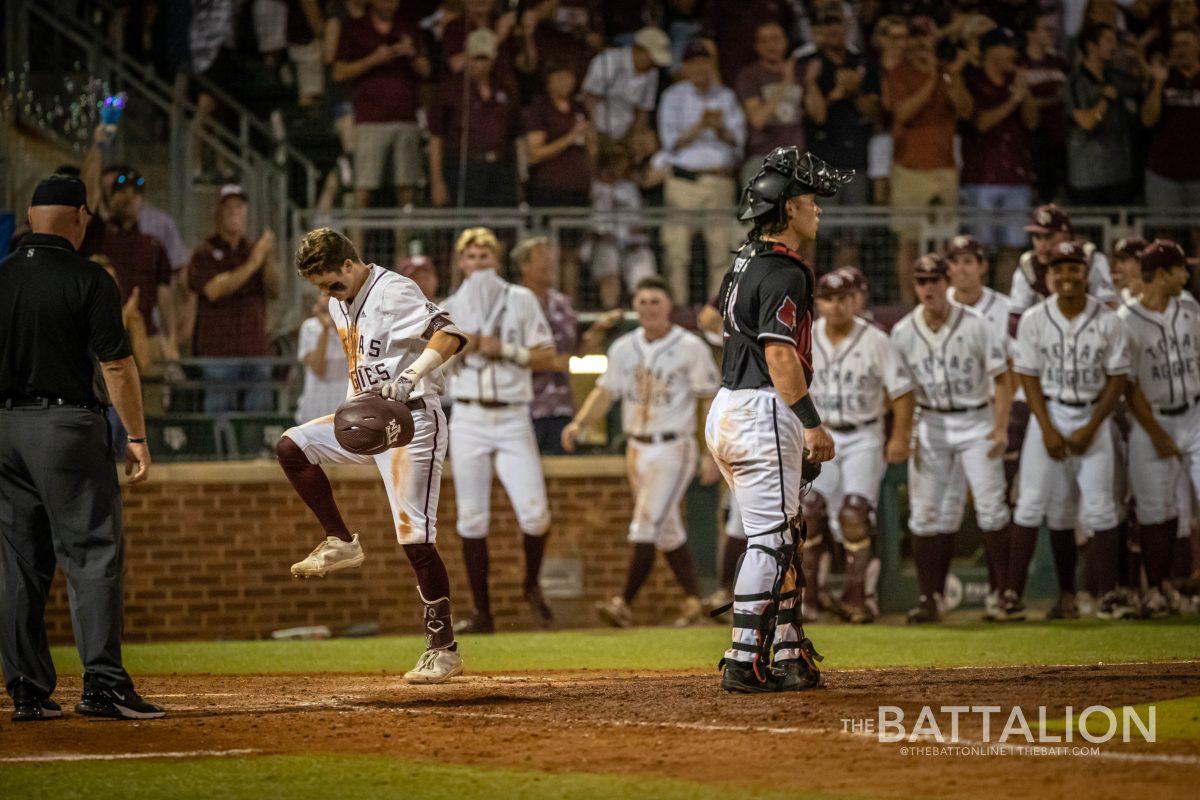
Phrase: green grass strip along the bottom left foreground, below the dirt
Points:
(304, 778)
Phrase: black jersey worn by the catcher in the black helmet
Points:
(767, 296)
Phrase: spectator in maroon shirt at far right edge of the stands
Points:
(1172, 111)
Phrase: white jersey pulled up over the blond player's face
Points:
(488, 305)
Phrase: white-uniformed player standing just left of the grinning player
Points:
(957, 377)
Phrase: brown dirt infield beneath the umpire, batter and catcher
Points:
(676, 725)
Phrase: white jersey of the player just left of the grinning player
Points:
(953, 369)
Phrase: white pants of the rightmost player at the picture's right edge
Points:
(1157, 482)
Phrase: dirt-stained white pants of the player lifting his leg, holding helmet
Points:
(412, 474)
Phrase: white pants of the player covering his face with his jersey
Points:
(502, 437)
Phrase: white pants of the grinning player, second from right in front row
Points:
(1051, 490)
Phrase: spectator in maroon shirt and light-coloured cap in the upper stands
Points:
(488, 123)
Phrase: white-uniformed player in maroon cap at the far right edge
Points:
(1165, 398)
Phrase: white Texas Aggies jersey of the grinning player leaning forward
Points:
(1072, 359)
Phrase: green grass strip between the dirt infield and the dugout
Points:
(845, 647)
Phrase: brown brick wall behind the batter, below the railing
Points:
(209, 550)
